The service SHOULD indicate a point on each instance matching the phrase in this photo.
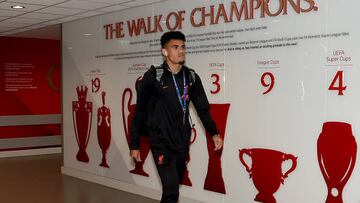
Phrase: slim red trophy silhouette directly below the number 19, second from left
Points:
(104, 130)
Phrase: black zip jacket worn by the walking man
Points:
(158, 109)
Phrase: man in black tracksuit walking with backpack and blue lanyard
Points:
(162, 110)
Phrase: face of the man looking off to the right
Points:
(174, 51)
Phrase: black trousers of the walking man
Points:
(171, 166)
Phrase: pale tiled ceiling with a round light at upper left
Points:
(42, 18)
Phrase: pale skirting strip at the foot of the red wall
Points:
(31, 152)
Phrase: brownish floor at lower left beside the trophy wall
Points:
(37, 179)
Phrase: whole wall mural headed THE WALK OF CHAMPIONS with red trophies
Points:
(286, 68)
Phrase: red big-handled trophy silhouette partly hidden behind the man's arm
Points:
(144, 143)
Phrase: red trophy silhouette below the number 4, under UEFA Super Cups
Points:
(336, 156)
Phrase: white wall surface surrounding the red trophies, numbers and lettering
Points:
(288, 119)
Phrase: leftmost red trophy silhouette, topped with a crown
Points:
(82, 116)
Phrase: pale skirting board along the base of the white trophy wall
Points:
(135, 189)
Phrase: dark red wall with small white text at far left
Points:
(29, 83)
